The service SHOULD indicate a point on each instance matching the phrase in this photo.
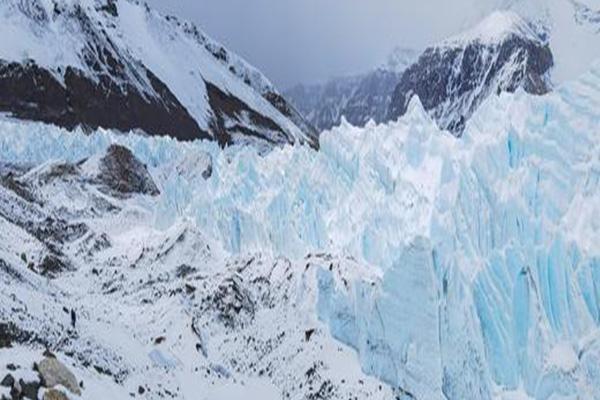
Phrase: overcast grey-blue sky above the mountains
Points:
(305, 41)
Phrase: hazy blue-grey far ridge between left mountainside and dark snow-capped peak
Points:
(358, 99)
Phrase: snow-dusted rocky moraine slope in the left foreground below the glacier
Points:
(121, 309)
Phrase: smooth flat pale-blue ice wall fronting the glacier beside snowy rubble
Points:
(387, 341)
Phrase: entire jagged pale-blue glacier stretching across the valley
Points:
(483, 252)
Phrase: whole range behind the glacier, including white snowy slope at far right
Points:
(526, 44)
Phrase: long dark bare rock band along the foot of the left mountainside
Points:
(32, 92)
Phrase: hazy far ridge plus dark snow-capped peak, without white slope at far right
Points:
(452, 78)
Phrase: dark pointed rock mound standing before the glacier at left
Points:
(122, 172)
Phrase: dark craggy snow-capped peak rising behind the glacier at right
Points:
(502, 54)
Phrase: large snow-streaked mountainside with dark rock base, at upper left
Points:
(119, 64)
